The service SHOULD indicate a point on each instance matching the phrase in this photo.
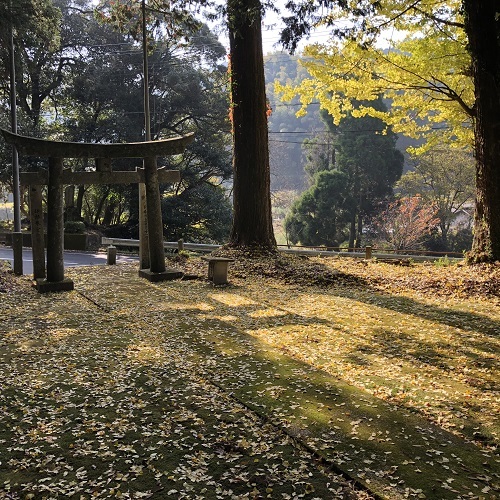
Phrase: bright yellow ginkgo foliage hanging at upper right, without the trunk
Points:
(425, 76)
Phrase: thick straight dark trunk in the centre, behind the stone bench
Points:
(252, 222)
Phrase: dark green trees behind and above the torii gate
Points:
(84, 83)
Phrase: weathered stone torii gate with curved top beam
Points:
(56, 177)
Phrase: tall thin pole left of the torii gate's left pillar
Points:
(17, 237)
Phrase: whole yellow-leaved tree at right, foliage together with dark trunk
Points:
(448, 94)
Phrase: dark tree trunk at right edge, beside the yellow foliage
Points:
(483, 30)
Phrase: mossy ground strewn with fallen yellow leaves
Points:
(302, 378)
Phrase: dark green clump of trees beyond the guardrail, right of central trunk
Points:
(364, 165)
